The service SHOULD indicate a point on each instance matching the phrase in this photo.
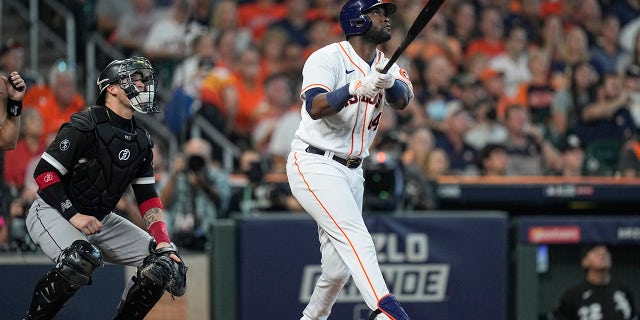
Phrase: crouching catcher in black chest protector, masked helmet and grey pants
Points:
(81, 176)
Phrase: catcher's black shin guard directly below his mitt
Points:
(140, 298)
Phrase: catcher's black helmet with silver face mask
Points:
(120, 72)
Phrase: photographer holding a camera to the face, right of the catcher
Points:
(195, 193)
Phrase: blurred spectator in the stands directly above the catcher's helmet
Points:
(133, 26)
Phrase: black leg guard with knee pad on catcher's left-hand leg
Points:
(73, 271)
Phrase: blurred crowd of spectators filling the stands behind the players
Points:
(502, 88)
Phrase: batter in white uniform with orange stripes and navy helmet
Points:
(344, 96)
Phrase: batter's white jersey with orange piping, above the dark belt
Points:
(349, 133)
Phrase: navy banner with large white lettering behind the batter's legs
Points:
(440, 266)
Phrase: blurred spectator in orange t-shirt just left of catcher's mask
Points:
(58, 99)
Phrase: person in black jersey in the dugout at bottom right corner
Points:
(598, 296)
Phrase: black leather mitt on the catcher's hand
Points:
(162, 270)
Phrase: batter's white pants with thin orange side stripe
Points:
(332, 194)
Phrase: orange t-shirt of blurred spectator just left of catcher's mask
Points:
(41, 98)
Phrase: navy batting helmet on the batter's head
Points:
(353, 17)
